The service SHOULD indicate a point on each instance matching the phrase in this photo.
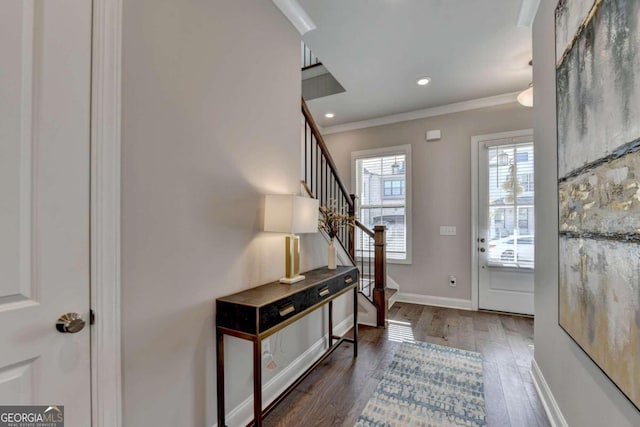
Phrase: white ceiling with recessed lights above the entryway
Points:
(378, 48)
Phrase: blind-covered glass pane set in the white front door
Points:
(511, 205)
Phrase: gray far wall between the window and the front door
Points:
(441, 189)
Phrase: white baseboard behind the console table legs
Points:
(242, 414)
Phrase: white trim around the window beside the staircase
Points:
(386, 151)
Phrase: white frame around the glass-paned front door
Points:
(475, 144)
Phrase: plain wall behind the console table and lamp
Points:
(211, 122)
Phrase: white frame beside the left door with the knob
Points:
(106, 389)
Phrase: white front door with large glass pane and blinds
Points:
(505, 222)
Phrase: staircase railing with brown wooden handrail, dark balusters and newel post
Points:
(364, 247)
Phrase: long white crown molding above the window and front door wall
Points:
(491, 101)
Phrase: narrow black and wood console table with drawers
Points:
(259, 312)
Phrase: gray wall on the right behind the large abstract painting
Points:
(585, 396)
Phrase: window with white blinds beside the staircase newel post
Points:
(381, 183)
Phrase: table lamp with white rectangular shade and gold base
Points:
(293, 215)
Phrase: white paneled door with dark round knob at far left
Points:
(45, 54)
